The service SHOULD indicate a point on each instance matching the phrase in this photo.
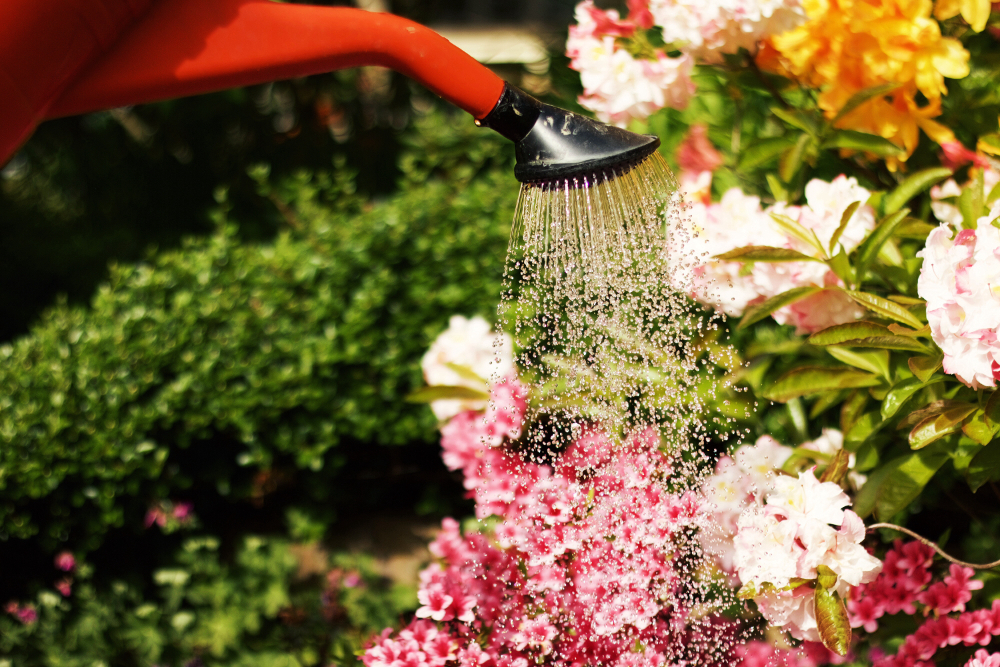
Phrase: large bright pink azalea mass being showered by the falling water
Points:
(584, 563)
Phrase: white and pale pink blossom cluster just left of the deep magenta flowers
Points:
(801, 526)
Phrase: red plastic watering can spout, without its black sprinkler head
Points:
(174, 48)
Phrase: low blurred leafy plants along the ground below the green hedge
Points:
(254, 610)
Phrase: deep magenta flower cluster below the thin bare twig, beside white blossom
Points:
(904, 582)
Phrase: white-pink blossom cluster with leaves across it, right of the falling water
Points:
(738, 220)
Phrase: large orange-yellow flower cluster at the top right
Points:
(850, 45)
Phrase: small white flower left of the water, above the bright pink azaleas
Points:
(470, 344)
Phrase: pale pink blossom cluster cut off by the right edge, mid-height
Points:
(959, 279)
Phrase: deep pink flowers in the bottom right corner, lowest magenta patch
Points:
(966, 629)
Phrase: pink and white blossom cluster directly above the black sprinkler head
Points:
(617, 85)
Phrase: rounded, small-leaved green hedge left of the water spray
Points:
(283, 348)
